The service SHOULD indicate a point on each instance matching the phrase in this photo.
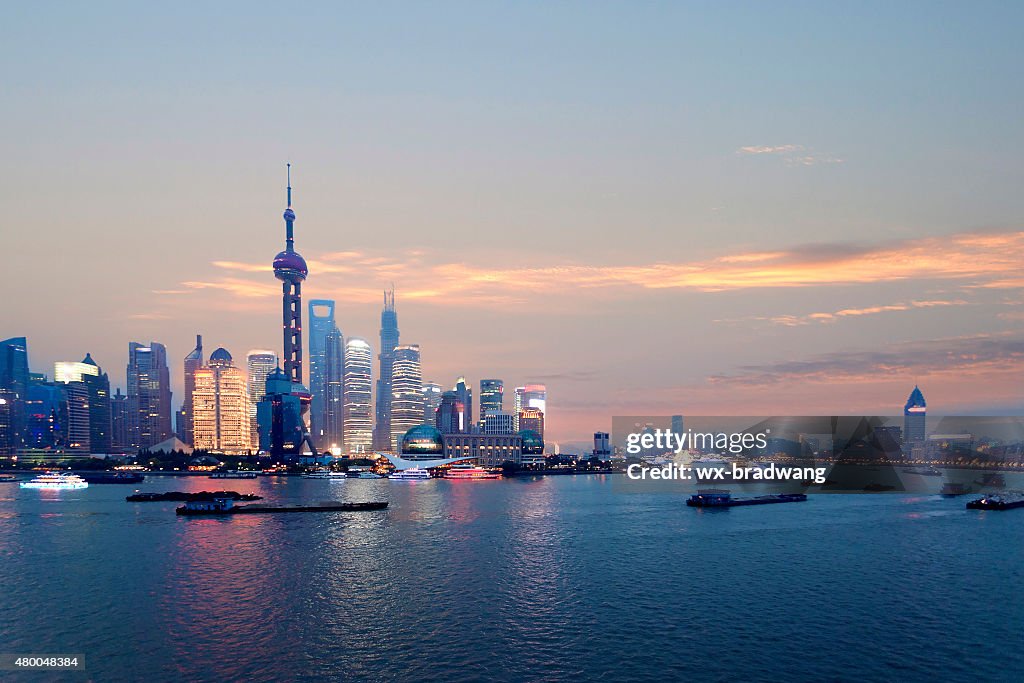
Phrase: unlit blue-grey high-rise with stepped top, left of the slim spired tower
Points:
(149, 395)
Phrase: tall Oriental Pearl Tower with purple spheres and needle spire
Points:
(290, 269)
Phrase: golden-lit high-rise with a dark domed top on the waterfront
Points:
(222, 420)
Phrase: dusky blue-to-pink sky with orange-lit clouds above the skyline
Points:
(654, 208)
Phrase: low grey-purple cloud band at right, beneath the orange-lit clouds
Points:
(961, 357)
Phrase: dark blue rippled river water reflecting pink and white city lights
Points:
(552, 579)
